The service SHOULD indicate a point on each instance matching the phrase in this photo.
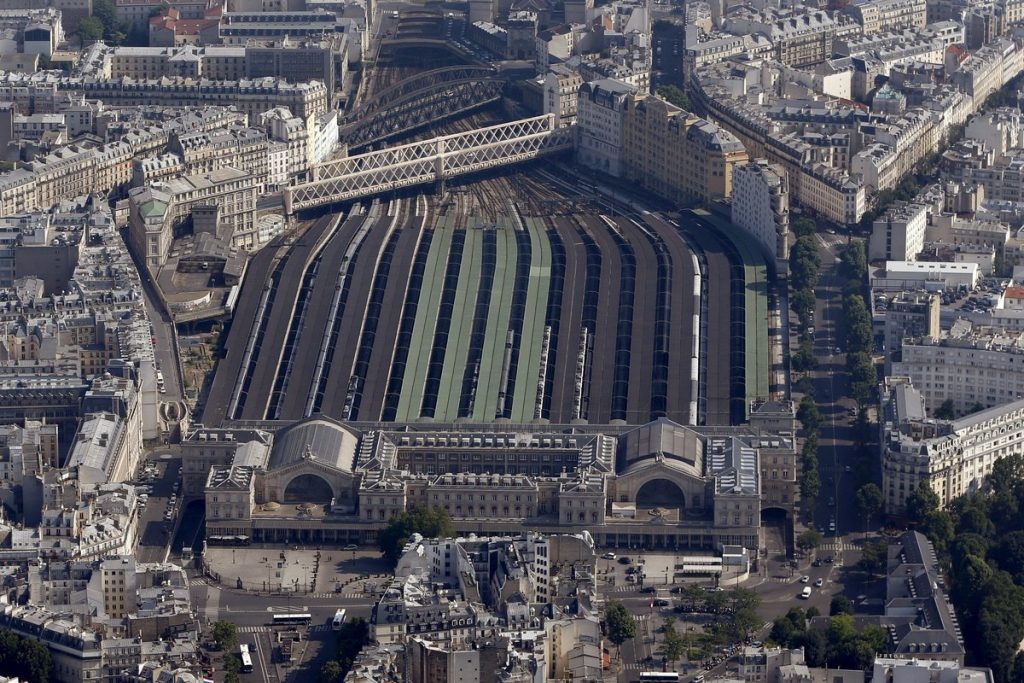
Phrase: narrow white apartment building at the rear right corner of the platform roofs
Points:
(761, 204)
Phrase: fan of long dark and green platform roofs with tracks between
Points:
(515, 297)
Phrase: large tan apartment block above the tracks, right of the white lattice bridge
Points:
(676, 155)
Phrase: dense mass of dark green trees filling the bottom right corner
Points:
(982, 540)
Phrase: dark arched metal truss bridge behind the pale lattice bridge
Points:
(420, 101)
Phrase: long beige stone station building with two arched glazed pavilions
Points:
(662, 485)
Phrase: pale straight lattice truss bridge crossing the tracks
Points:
(430, 161)
